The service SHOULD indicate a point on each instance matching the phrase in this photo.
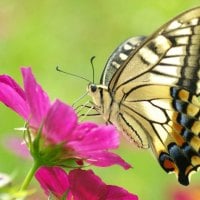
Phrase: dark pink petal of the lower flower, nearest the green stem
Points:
(53, 180)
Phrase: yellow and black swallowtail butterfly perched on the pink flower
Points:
(149, 90)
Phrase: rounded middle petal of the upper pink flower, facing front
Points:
(60, 122)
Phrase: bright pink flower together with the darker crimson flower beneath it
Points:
(58, 137)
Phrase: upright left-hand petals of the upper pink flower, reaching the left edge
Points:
(32, 103)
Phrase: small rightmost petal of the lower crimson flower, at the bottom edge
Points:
(117, 193)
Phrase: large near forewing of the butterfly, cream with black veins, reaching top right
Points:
(175, 44)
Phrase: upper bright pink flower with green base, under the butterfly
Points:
(58, 135)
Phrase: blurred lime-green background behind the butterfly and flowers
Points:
(44, 34)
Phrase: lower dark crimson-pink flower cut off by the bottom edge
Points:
(79, 185)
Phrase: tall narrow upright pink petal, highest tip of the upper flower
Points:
(37, 99)
